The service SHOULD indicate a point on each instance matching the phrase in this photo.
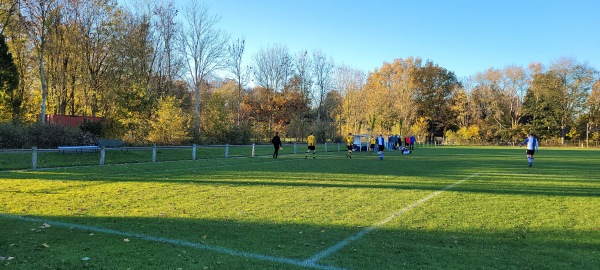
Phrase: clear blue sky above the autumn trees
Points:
(462, 36)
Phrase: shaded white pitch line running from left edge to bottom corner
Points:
(177, 242)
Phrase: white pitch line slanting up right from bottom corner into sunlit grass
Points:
(313, 260)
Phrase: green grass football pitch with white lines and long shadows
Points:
(438, 208)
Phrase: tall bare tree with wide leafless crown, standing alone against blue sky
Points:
(205, 50)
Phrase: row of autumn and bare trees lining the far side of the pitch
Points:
(158, 75)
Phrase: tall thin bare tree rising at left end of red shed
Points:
(37, 13)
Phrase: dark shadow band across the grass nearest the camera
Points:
(63, 246)
